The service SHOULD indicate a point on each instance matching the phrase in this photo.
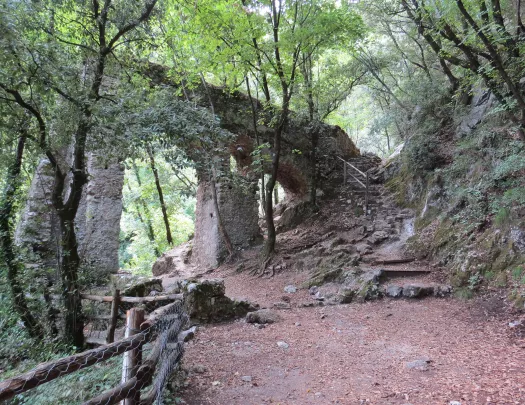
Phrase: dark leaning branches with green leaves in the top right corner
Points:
(474, 36)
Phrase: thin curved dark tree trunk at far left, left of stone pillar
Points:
(13, 266)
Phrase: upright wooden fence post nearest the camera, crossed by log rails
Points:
(132, 358)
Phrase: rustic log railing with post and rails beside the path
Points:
(163, 328)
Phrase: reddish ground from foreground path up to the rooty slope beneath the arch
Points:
(431, 351)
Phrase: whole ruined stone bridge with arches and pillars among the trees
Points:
(101, 207)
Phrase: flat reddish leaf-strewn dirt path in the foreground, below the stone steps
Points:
(356, 353)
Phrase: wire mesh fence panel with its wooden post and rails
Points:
(134, 369)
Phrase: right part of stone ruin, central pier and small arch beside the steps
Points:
(239, 209)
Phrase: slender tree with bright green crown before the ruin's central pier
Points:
(270, 41)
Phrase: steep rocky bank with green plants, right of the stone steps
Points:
(480, 198)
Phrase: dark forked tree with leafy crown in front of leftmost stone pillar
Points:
(59, 54)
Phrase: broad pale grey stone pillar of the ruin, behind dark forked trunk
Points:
(97, 221)
